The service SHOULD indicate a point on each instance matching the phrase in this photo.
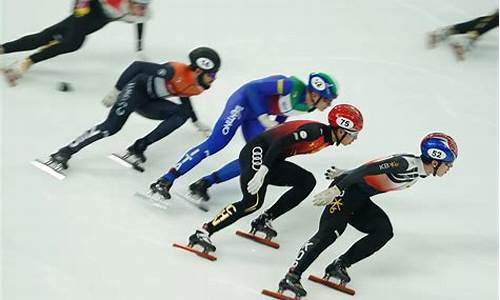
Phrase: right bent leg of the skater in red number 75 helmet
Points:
(289, 174)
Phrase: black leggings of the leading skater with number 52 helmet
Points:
(356, 209)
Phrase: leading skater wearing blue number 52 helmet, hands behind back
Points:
(348, 201)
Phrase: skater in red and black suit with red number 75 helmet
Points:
(263, 162)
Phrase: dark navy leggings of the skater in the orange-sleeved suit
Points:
(132, 98)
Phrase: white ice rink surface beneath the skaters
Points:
(88, 237)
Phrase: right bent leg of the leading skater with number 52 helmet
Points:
(372, 220)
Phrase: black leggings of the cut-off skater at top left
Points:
(63, 37)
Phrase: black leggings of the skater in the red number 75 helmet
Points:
(281, 173)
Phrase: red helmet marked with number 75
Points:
(347, 117)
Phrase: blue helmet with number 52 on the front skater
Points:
(439, 146)
